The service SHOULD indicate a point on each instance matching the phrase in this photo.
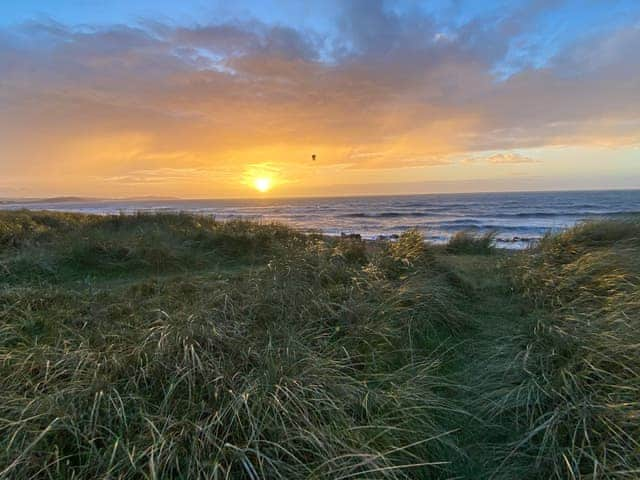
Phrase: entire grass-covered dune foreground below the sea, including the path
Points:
(175, 346)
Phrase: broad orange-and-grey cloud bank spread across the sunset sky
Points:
(388, 90)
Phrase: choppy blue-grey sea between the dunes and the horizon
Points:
(517, 218)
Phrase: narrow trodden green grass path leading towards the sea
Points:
(477, 365)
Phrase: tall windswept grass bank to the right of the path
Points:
(580, 363)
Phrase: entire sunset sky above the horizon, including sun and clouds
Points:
(213, 99)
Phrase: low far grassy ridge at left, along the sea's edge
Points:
(57, 247)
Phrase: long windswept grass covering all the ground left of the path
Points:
(130, 353)
